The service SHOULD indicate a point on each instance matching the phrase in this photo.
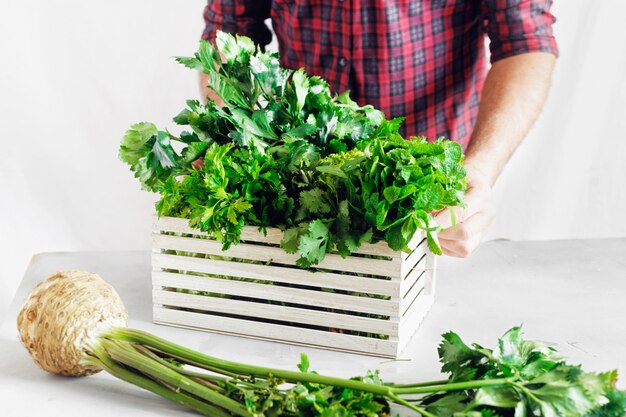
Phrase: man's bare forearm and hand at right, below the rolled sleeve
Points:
(514, 92)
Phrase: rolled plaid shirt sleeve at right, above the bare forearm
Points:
(519, 26)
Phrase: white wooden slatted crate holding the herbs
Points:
(370, 302)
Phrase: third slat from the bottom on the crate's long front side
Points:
(277, 293)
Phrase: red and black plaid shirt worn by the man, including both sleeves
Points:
(424, 60)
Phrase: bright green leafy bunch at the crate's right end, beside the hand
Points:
(386, 188)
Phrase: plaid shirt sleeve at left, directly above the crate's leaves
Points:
(243, 17)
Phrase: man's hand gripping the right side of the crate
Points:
(472, 221)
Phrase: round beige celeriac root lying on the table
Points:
(63, 314)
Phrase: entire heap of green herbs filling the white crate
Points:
(283, 152)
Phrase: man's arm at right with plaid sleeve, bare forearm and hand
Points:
(523, 51)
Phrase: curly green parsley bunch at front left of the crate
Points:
(234, 187)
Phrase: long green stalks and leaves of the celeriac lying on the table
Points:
(518, 378)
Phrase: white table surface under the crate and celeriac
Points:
(571, 293)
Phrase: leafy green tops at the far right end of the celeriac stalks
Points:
(519, 378)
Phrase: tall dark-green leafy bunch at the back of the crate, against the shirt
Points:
(266, 104)
